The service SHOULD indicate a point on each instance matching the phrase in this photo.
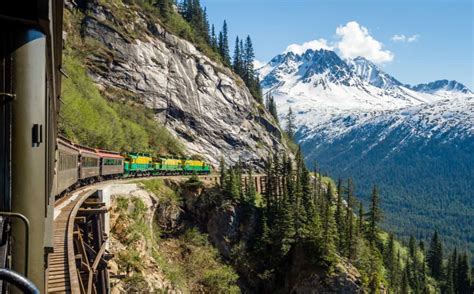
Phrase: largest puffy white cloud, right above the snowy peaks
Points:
(355, 40)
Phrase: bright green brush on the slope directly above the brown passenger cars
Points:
(88, 118)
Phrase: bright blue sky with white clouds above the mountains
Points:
(418, 41)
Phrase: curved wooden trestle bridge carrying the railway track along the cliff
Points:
(78, 263)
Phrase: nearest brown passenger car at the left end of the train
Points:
(68, 170)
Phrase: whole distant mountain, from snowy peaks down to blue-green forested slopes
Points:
(355, 120)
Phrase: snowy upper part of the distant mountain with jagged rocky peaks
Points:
(324, 90)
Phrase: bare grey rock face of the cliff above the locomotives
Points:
(199, 100)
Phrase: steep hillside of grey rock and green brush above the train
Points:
(146, 74)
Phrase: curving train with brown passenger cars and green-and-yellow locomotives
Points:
(81, 165)
